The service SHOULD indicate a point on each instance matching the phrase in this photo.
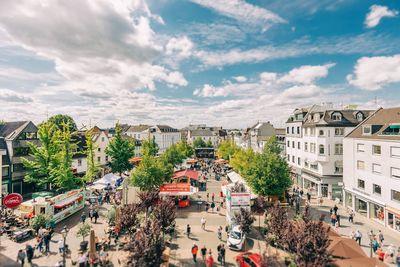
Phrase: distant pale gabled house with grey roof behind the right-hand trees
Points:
(258, 135)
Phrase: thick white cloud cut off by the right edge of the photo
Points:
(373, 73)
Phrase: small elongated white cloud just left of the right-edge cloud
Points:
(306, 74)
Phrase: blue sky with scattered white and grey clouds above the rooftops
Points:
(225, 63)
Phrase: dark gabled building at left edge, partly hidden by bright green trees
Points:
(16, 136)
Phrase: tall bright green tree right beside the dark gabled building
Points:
(39, 170)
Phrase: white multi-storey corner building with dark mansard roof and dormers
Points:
(316, 153)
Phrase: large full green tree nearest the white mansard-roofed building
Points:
(268, 175)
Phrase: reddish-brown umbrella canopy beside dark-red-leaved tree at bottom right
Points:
(345, 248)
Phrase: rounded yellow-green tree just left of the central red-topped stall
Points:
(151, 173)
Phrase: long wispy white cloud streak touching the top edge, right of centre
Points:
(243, 12)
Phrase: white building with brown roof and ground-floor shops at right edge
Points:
(371, 175)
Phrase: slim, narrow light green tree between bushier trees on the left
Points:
(64, 179)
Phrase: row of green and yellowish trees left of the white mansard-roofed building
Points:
(267, 173)
